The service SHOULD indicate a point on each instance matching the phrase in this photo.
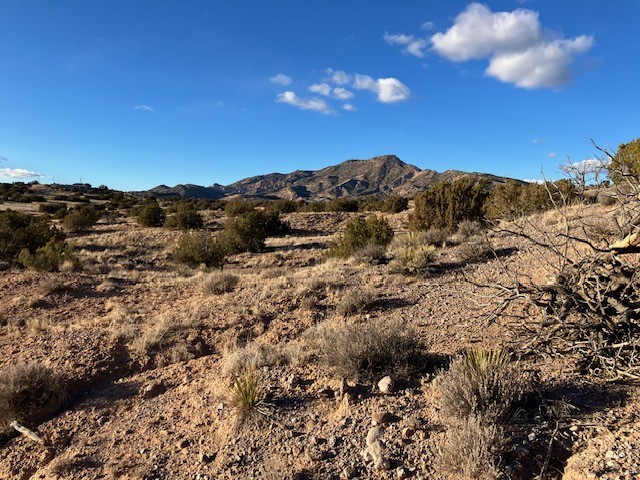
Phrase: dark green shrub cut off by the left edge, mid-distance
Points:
(19, 231)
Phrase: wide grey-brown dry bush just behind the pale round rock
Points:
(368, 350)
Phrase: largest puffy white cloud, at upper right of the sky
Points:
(519, 50)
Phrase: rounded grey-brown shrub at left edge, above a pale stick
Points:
(29, 393)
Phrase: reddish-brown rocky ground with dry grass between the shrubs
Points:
(148, 356)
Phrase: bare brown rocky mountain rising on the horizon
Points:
(384, 175)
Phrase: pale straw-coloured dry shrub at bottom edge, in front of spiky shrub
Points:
(471, 449)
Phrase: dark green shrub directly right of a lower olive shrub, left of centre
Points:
(248, 231)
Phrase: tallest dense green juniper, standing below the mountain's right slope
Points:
(445, 205)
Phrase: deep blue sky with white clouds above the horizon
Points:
(133, 94)
